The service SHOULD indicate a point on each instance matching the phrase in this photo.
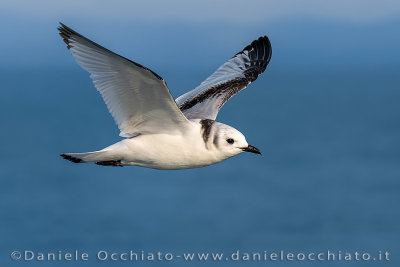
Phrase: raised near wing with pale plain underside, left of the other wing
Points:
(137, 98)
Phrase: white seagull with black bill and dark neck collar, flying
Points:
(160, 132)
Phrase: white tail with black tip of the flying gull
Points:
(103, 157)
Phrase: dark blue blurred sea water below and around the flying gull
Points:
(328, 179)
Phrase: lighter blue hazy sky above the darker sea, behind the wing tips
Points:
(306, 35)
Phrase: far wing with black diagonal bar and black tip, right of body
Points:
(205, 101)
